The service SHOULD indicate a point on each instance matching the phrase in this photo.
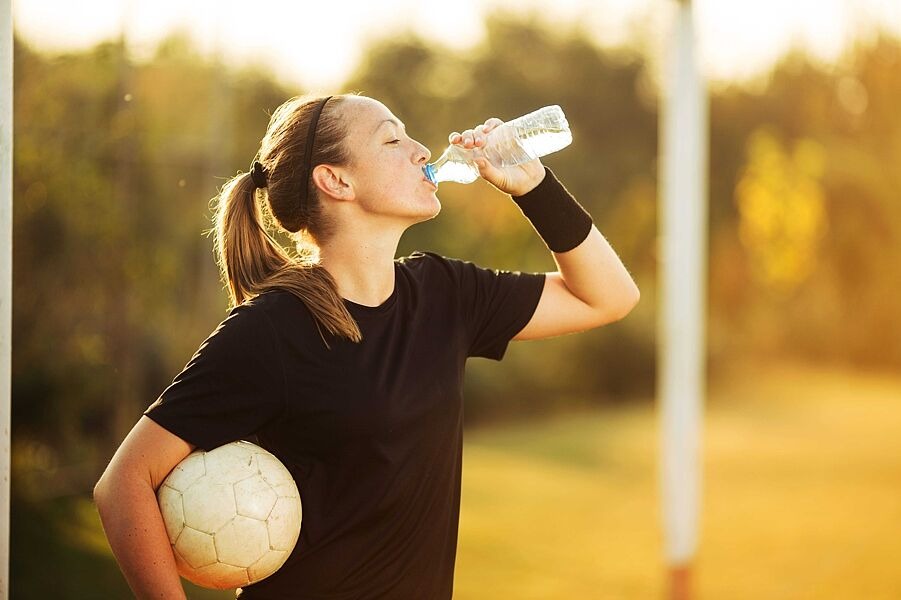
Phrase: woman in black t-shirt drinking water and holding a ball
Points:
(348, 366)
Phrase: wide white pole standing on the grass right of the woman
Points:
(681, 356)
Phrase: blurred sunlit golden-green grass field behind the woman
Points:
(802, 500)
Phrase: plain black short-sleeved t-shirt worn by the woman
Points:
(372, 432)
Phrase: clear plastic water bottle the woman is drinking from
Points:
(520, 140)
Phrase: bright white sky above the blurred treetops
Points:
(316, 44)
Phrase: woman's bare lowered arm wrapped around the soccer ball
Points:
(125, 497)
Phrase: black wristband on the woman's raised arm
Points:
(557, 217)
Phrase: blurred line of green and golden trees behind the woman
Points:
(116, 161)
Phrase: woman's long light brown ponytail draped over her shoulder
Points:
(251, 262)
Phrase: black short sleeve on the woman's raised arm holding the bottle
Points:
(496, 305)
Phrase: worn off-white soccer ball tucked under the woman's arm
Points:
(232, 514)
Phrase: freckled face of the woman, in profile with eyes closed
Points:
(386, 164)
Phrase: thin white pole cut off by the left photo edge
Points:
(6, 274)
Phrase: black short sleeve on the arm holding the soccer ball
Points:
(232, 387)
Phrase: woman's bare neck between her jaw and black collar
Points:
(362, 266)
